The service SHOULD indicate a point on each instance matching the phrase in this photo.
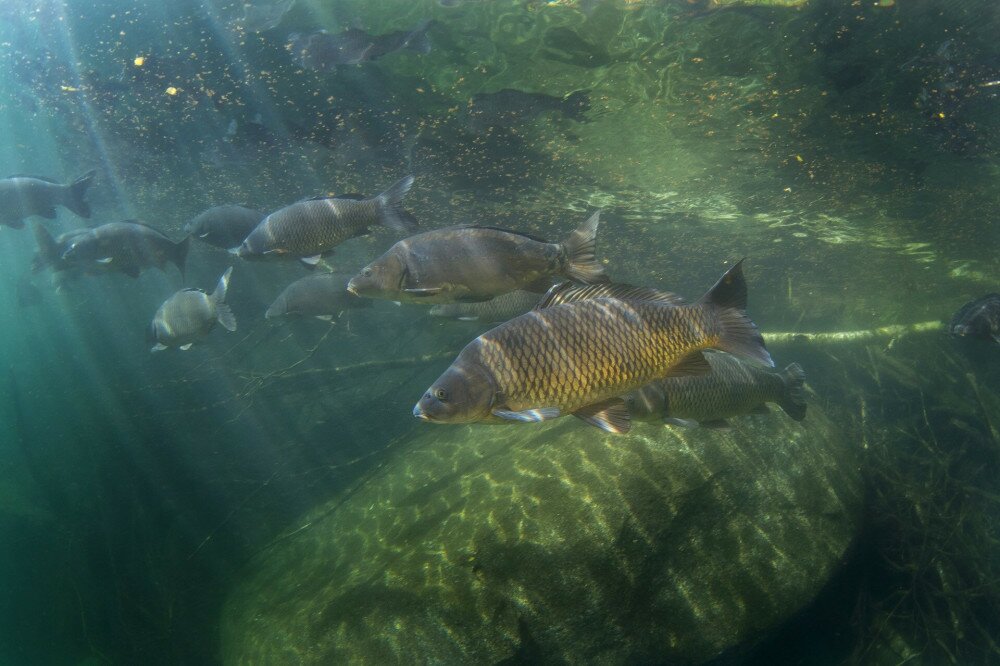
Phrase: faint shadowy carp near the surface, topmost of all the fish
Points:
(323, 52)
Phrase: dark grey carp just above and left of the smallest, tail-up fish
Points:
(125, 247)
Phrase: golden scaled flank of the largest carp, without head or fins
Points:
(542, 360)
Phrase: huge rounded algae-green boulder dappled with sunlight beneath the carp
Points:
(556, 543)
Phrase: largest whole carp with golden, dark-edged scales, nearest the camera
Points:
(579, 358)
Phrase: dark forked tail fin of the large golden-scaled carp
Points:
(739, 334)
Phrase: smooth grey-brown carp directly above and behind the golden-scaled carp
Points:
(470, 263)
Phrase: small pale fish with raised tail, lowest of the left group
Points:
(190, 314)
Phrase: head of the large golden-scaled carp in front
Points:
(465, 393)
